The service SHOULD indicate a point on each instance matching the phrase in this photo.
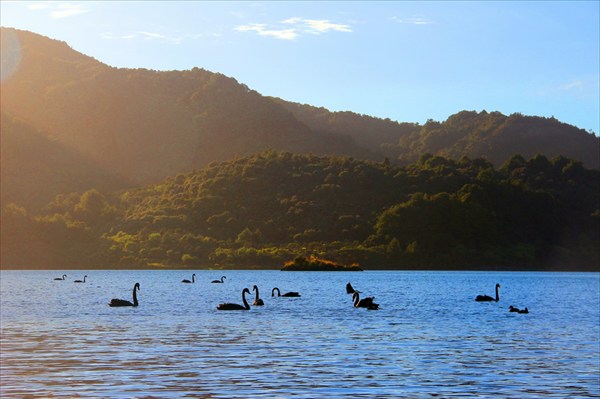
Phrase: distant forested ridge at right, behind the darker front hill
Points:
(489, 135)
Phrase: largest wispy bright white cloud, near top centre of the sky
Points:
(294, 27)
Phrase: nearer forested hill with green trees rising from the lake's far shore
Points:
(262, 210)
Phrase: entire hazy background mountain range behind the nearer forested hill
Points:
(88, 124)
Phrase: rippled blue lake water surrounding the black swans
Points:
(428, 339)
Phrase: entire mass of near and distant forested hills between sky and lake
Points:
(112, 167)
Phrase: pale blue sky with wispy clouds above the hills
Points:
(408, 61)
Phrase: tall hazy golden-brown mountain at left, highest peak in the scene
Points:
(146, 125)
